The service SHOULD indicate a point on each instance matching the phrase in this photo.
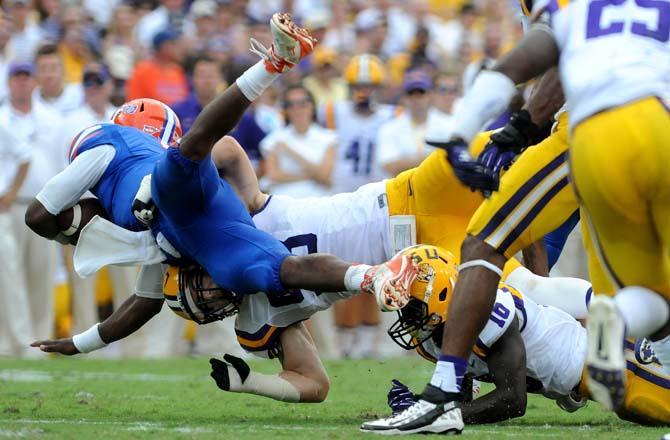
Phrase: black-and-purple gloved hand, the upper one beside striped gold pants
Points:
(506, 144)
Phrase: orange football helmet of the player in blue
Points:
(152, 117)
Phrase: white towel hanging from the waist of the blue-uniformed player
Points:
(102, 243)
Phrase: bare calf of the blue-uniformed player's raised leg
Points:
(215, 121)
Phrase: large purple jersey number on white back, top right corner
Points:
(659, 30)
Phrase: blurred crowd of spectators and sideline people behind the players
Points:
(383, 73)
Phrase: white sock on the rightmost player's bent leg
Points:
(643, 311)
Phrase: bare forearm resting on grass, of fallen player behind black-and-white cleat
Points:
(493, 407)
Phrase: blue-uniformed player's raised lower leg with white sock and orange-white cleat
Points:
(290, 44)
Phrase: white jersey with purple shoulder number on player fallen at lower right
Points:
(555, 342)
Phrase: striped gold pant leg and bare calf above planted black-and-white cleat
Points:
(534, 198)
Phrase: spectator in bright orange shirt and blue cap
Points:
(160, 77)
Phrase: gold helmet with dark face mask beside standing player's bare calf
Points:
(430, 293)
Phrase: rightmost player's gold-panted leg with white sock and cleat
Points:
(626, 223)
